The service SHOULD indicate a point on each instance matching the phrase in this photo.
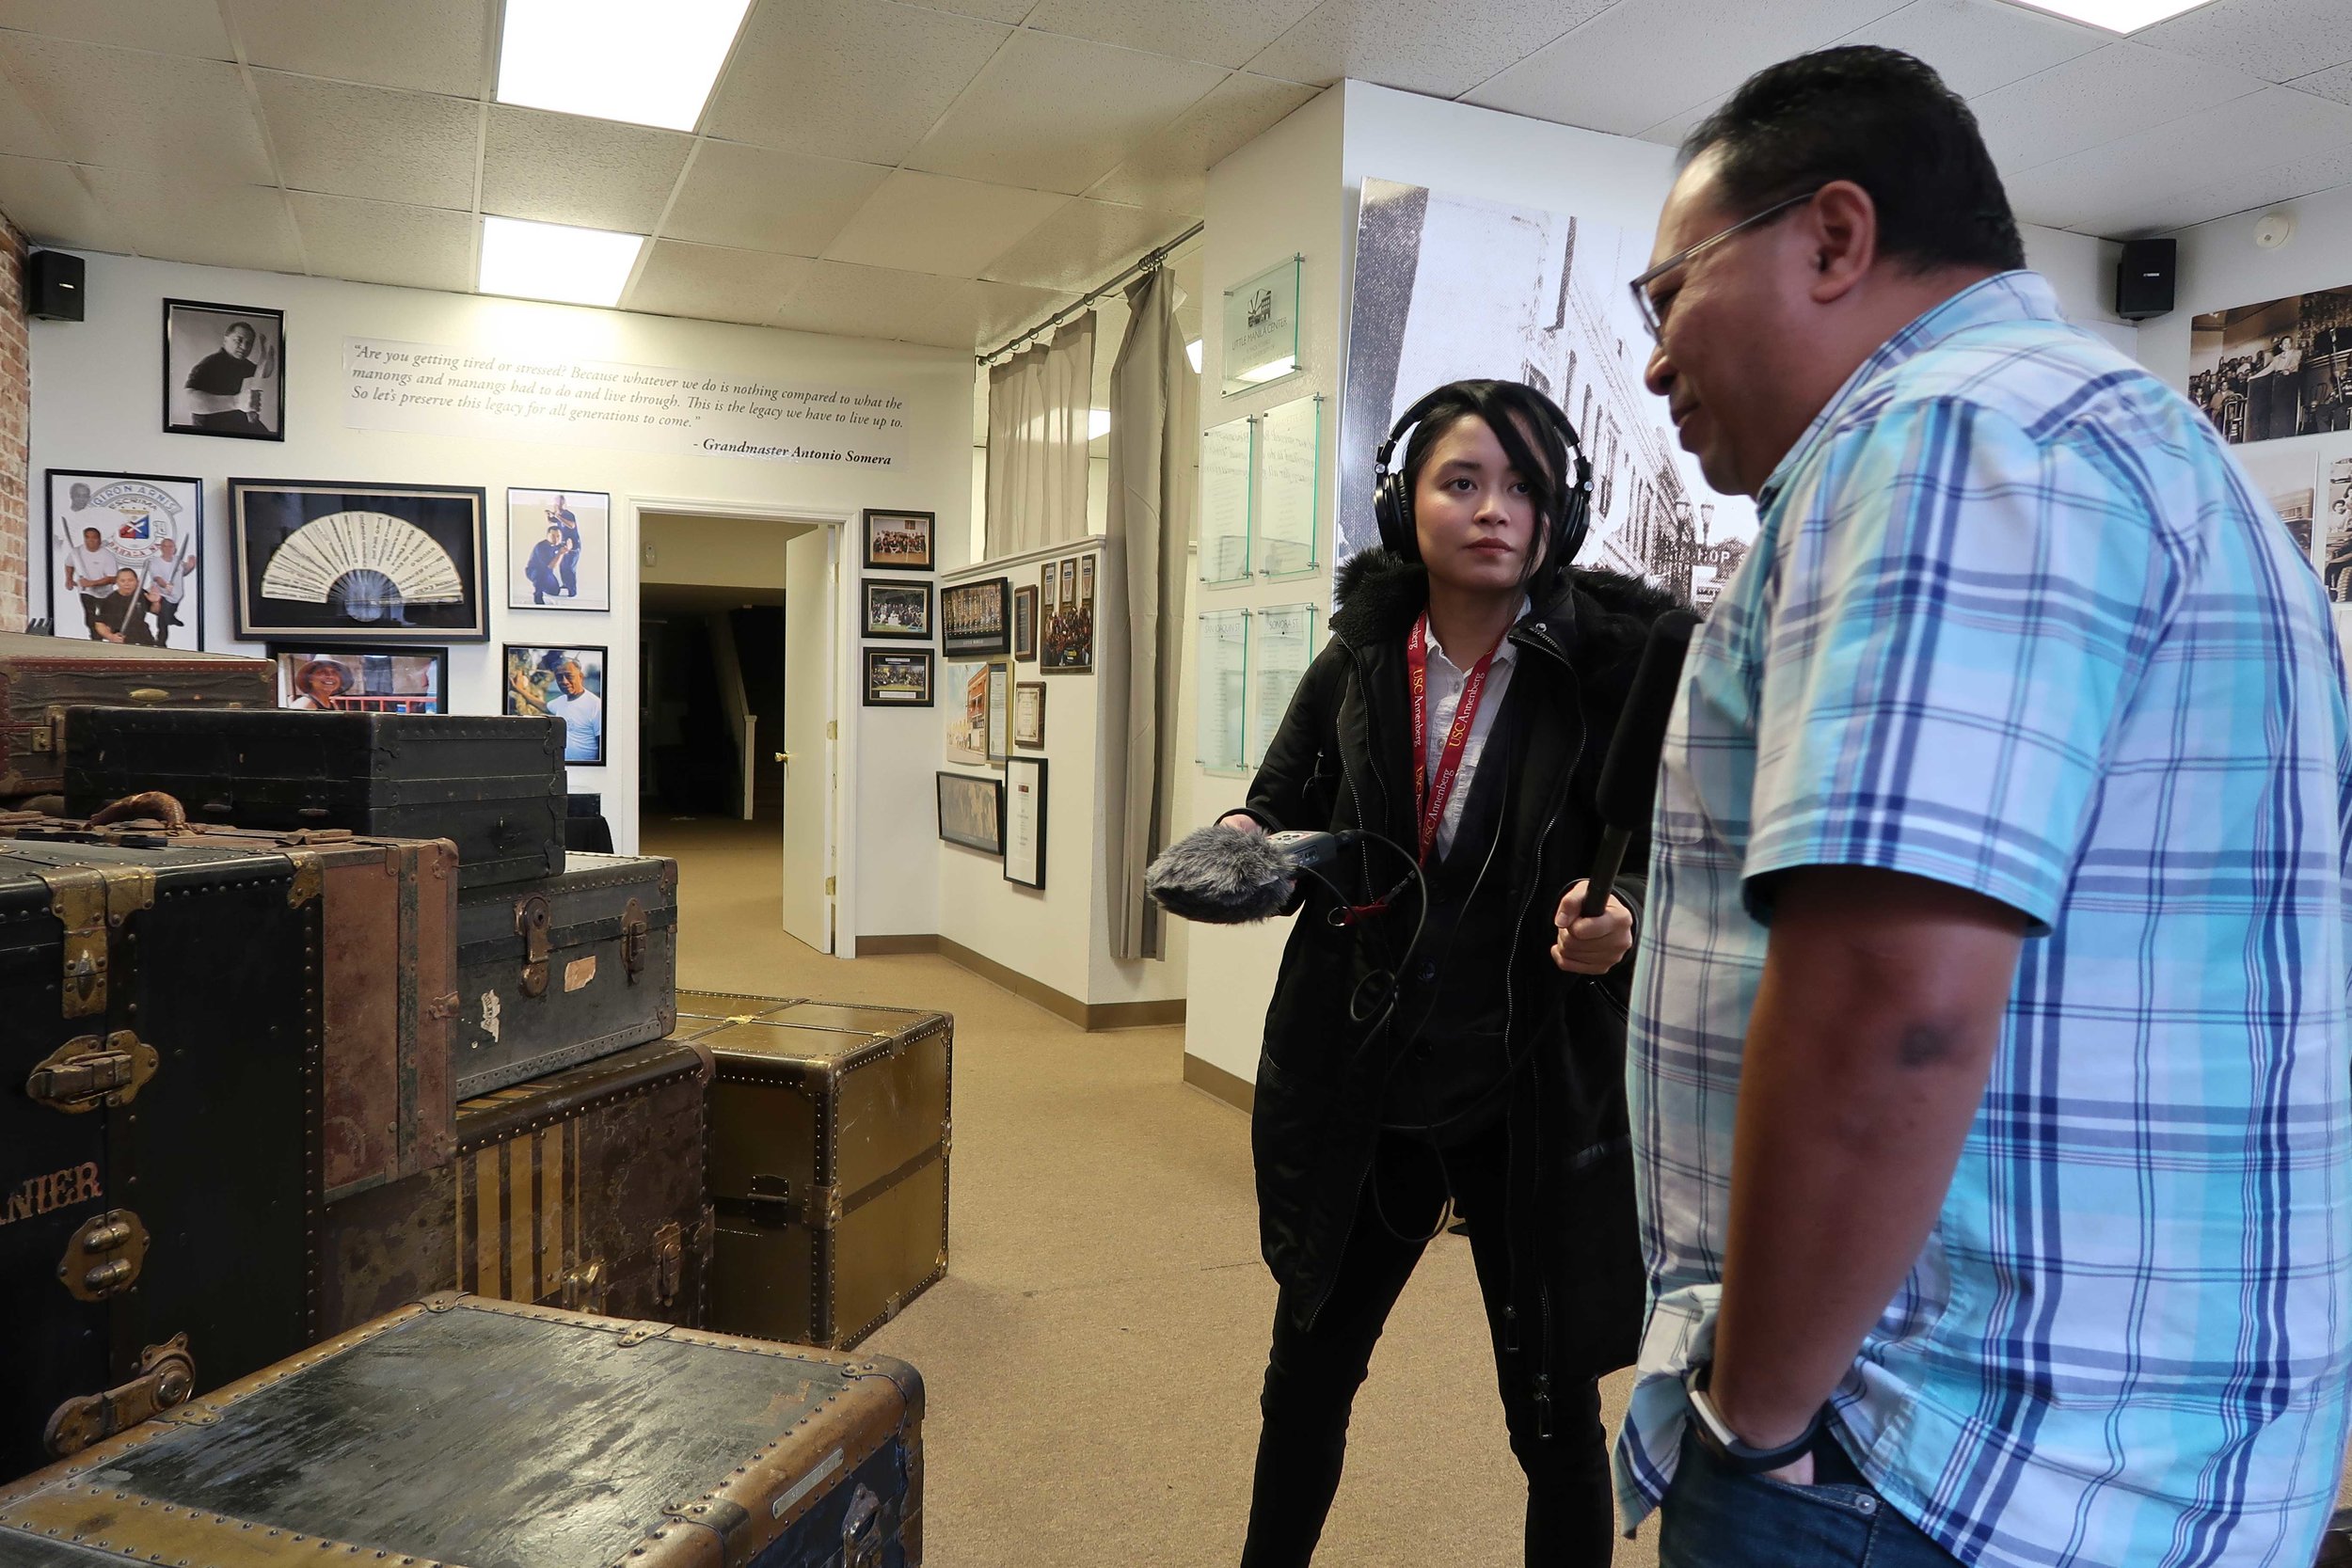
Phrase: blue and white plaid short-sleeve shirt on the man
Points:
(2017, 622)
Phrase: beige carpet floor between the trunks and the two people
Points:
(1095, 1353)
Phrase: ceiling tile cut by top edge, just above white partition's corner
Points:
(1419, 46)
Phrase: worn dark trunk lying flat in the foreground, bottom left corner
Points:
(486, 1435)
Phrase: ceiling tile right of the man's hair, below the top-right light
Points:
(2099, 98)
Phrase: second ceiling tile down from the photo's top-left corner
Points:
(140, 112)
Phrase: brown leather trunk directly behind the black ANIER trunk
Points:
(389, 949)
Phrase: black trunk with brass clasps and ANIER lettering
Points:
(159, 1132)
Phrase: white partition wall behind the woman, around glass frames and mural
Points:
(1297, 189)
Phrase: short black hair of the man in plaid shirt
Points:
(1883, 121)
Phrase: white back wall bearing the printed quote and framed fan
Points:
(98, 406)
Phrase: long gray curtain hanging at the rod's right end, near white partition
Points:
(1154, 467)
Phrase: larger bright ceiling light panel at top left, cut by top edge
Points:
(617, 60)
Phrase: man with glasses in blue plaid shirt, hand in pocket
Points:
(1991, 1080)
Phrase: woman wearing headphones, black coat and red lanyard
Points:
(1455, 1036)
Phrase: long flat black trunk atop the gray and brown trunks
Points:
(490, 786)
